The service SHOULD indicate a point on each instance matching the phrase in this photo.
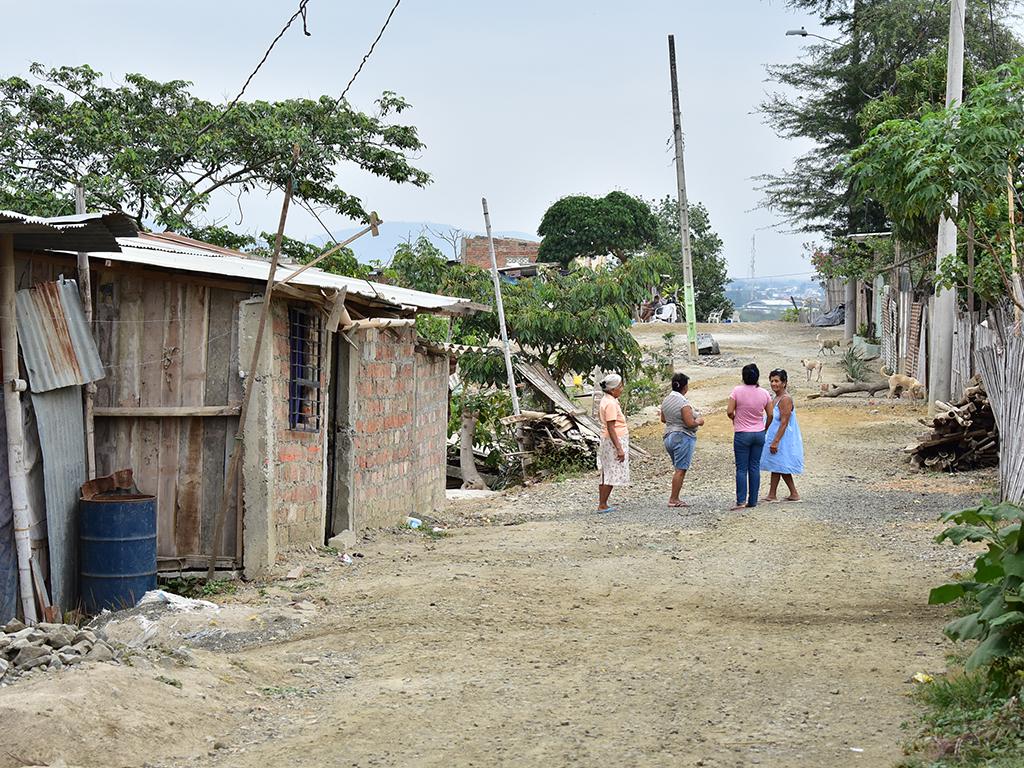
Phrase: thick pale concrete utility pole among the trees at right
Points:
(945, 312)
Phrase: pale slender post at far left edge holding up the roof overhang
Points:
(14, 387)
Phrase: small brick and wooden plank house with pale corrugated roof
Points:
(348, 423)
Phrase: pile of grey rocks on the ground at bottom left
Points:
(49, 647)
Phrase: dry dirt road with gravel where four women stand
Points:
(536, 633)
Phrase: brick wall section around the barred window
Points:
(298, 482)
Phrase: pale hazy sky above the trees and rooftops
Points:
(521, 102)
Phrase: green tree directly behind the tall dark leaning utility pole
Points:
(710, 269)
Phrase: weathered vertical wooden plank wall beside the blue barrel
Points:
(172, 345)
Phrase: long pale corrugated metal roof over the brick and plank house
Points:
(163, 252)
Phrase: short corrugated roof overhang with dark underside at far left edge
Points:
(87, 232)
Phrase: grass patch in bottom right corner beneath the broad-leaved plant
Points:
(967, 723)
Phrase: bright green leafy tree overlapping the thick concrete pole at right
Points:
(913, 167)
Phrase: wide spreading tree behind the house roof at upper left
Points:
(159, 153)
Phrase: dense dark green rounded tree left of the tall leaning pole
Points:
(580, 227)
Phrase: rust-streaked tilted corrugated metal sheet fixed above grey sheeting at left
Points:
(59, 348)
